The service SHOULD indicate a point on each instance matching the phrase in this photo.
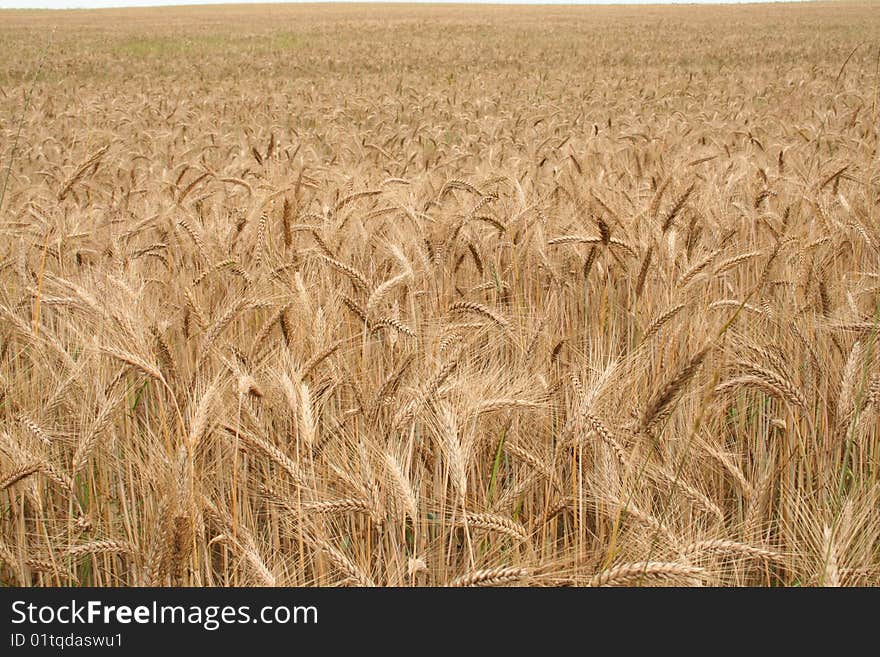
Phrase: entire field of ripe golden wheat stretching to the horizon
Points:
(413, 295)
